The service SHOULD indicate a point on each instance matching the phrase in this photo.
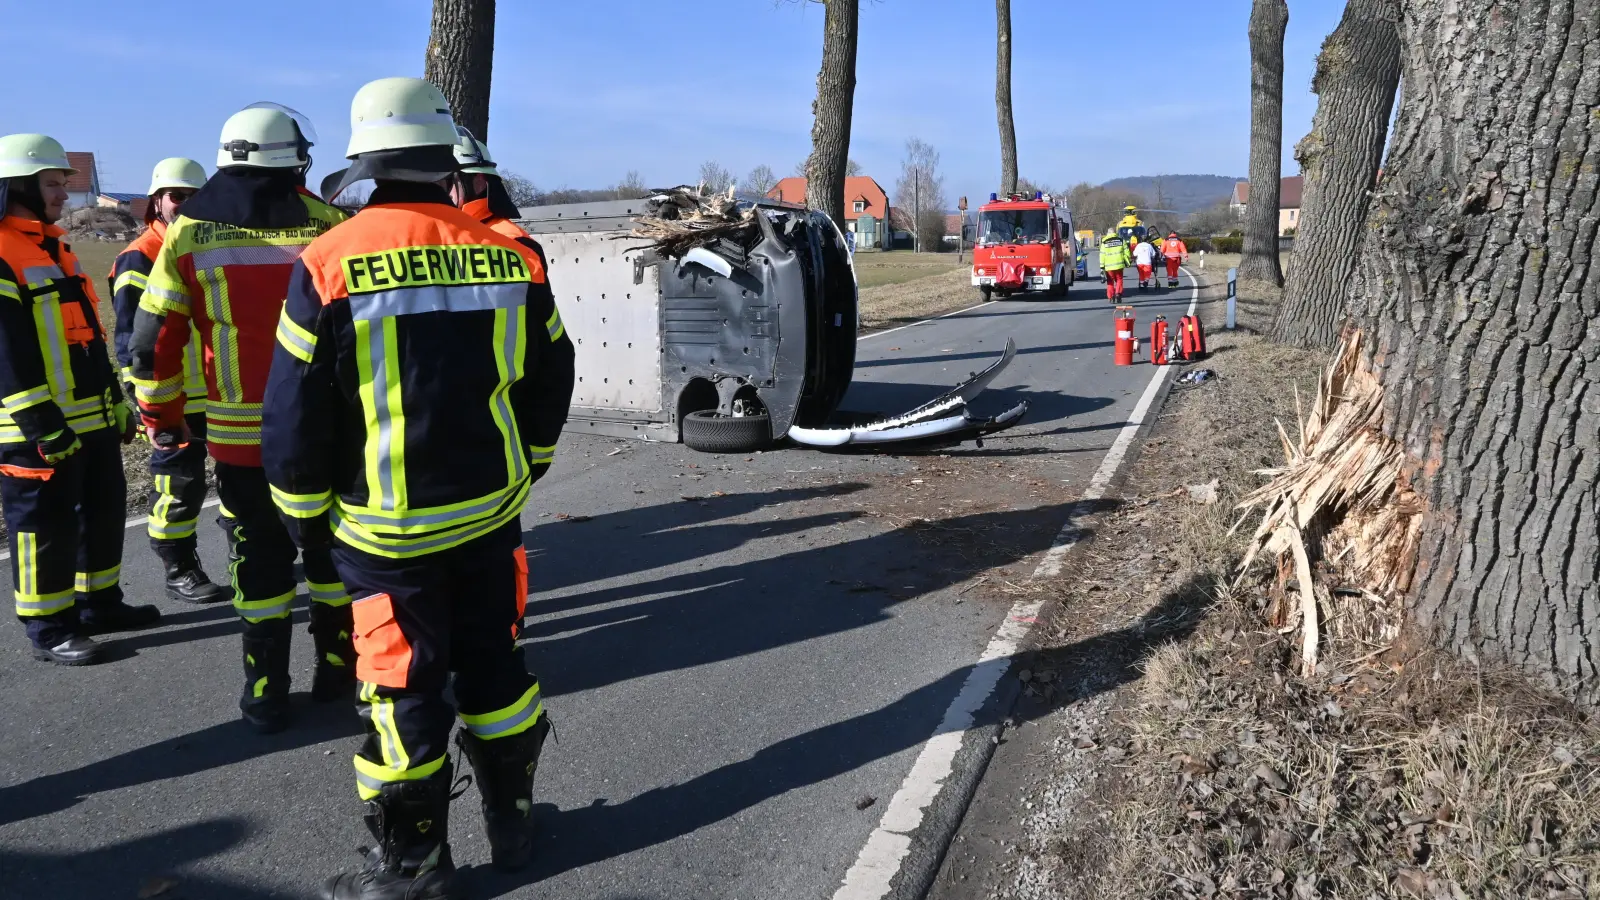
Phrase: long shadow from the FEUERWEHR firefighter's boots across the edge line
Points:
(606, 830)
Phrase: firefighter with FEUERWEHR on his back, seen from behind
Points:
(425, 529)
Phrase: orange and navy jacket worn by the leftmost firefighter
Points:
(55, 371)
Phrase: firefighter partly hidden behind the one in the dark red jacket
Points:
(178, 475)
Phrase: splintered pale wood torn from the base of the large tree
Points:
(1342, 488)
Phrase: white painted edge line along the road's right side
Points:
(884, 856)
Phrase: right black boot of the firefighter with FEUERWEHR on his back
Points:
(505, 769)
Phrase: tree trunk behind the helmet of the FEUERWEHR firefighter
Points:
(462, 58)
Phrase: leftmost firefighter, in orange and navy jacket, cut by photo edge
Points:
(62, 420)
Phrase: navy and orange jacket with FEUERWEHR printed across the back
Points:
(422, 379)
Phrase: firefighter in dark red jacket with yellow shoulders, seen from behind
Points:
(225, 271)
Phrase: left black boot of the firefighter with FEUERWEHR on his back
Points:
(412, 859)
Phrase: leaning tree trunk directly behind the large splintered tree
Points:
(1358, 76)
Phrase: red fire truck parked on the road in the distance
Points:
(1025, 246)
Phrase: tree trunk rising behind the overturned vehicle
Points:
(836, 97)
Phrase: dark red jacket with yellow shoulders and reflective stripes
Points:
(228, 283)
